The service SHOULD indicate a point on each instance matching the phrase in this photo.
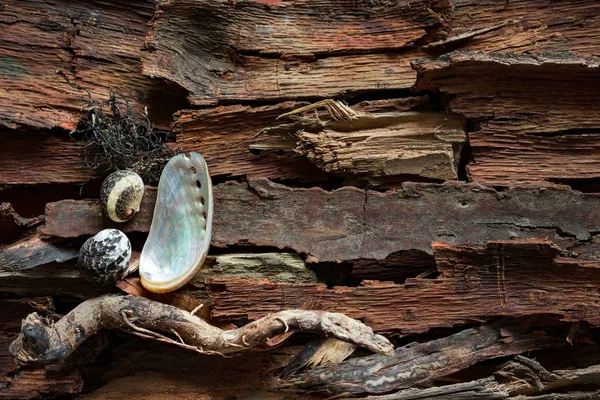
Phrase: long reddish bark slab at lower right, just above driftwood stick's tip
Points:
(505, 278)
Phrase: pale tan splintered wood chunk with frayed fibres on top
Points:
(374, 146)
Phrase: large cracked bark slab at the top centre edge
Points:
(288, 50)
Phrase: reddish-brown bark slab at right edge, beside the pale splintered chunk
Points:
(547, 132)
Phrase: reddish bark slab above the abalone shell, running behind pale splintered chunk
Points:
(226, 138)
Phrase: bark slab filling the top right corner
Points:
(533, 26)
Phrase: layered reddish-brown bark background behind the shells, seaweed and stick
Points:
(449, 200)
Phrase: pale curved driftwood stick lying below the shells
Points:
(43, 342)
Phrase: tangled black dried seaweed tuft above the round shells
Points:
(119, 137)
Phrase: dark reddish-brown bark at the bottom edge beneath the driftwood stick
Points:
(142, 370)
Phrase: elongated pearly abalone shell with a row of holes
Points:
(181, 227)
